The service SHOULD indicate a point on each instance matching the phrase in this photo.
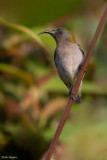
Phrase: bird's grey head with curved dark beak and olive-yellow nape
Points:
(61, 34)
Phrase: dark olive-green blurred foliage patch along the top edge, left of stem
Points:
(31, 13)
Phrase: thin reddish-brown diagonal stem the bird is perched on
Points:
(76, 86)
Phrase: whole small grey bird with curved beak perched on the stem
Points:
(68, 58)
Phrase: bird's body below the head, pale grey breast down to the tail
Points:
(68, 60)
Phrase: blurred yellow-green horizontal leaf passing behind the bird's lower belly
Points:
(56, 85)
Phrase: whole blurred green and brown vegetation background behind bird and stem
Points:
(32, 97)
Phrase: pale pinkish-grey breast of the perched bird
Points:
(67, 59)
